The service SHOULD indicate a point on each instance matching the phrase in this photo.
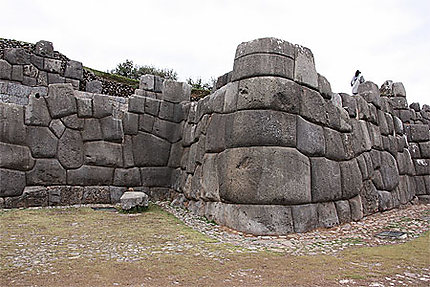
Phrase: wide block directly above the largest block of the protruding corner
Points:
(260, 128)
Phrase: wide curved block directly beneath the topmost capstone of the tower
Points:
(254, 65)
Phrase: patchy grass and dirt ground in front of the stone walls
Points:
(84, 247)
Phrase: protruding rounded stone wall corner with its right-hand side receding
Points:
(274, 151)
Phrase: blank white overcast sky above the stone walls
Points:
(384, 39)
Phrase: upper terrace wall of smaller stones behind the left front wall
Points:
(40, 65)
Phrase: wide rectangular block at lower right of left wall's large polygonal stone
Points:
(103, 153)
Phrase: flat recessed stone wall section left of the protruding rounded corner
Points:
(69, 147)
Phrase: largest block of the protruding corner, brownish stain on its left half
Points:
(264, 175)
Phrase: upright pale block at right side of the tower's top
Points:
(304, 67)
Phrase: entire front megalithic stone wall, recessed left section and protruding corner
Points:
(271, 151)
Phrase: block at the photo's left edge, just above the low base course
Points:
(12, 182)
